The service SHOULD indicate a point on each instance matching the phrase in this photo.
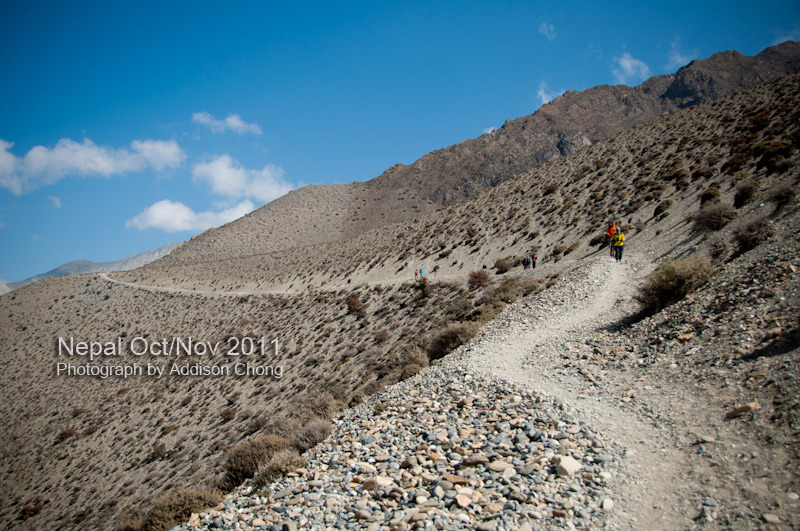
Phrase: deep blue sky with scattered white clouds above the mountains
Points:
(126, 126)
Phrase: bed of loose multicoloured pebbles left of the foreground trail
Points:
(507, 474)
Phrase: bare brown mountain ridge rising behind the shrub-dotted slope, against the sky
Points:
(460, 172)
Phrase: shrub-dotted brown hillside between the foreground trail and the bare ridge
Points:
(80, 452)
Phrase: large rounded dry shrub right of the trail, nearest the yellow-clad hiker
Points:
(672, 281)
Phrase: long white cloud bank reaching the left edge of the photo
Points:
(43, 166)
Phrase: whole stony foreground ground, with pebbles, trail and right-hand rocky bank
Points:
(563, 414)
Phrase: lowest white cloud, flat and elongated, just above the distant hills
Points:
(173, 216)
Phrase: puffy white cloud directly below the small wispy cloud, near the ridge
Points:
(229, 179)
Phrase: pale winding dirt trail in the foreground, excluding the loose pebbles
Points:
(528, 344)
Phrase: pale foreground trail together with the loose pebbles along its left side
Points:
(501, 435)
